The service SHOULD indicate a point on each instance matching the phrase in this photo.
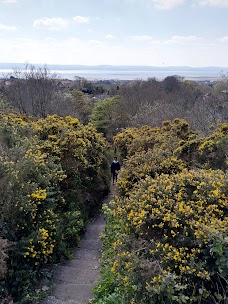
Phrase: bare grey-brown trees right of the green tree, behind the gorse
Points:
(151, 102)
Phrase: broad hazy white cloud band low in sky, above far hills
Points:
(91, 53)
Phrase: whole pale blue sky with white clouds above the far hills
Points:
(116, 32)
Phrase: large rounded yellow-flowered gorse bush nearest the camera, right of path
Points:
(172, 247)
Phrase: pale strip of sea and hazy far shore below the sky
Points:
(125, 72)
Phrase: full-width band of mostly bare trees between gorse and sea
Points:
(33, 91)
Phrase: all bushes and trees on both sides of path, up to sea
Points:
(166, 235)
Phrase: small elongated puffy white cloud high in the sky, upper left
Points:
(50, 23)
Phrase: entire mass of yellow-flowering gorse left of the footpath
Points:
(53, 176)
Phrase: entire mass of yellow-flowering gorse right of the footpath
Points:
(166, 234)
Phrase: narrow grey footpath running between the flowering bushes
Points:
(75, 279)
